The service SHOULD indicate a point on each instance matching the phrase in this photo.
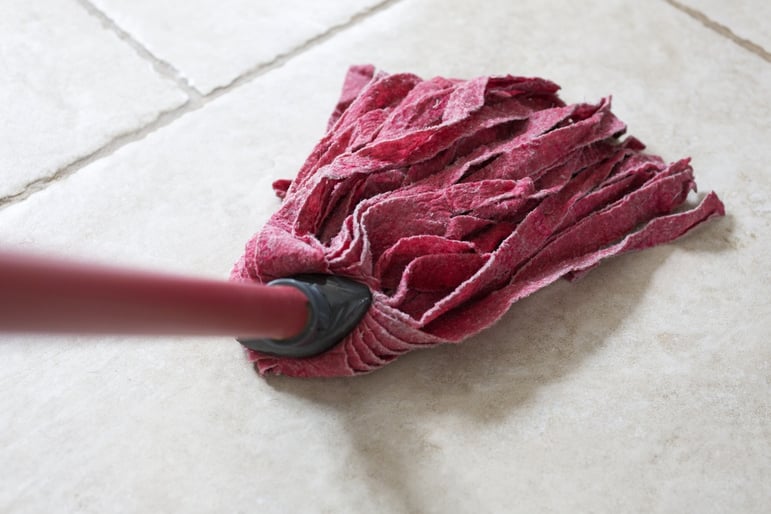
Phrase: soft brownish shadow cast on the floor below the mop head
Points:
(477, 384)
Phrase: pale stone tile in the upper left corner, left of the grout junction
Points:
(68, 87)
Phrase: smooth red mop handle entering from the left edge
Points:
(45, 295)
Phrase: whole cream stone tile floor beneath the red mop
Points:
(147, 134)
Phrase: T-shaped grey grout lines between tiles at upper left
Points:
(196, 100)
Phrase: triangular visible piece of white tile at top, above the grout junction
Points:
(212, 42)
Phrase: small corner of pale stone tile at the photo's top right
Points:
(746, 18)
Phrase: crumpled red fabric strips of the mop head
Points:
(452, 199)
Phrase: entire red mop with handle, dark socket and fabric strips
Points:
(427, 209)
